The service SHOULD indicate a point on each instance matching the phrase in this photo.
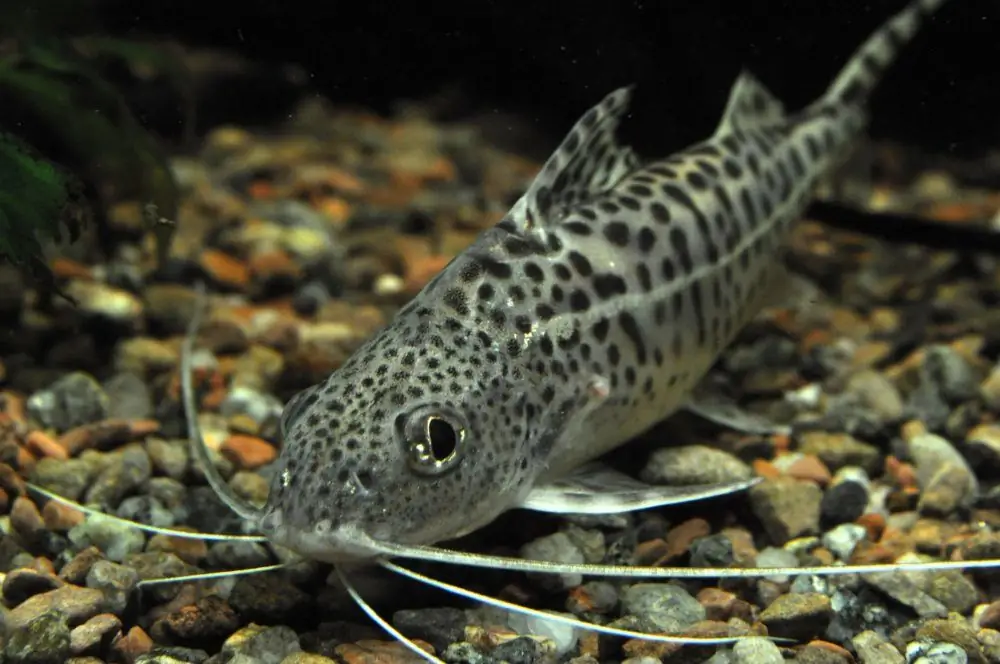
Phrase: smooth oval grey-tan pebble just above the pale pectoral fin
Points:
(693, 464)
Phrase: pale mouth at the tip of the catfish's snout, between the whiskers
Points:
(324, 542)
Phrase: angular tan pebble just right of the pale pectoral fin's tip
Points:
(787, 508)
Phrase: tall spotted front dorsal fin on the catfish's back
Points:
(588, 162)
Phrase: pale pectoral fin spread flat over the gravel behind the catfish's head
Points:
(597, 489)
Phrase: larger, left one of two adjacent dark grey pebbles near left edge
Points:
(71, 401)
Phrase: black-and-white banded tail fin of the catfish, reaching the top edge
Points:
(865, 68)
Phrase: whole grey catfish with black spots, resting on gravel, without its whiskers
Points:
(589, 313)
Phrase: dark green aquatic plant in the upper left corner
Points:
(71, 145)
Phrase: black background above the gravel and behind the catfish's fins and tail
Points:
(551, 59)
